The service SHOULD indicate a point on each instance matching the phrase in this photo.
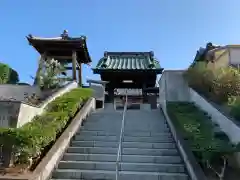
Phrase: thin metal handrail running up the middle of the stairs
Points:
(119, 153)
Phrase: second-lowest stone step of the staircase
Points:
(111, 166)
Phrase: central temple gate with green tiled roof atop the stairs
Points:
(128, 70)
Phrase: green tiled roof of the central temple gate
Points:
(128, 61)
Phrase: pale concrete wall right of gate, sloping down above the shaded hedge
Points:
(173, 88)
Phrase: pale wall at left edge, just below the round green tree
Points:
(17, 92)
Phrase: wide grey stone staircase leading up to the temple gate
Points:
(149, 151)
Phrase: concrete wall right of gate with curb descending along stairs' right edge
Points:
(167, 83)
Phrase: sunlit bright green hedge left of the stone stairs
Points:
(30, 140)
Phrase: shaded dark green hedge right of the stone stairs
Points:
(198, 129)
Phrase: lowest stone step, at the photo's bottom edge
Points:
(111, 175)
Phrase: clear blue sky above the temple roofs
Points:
(173, 29)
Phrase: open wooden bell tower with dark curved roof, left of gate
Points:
(65, 49)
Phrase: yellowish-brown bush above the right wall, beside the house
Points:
(216, 84)
